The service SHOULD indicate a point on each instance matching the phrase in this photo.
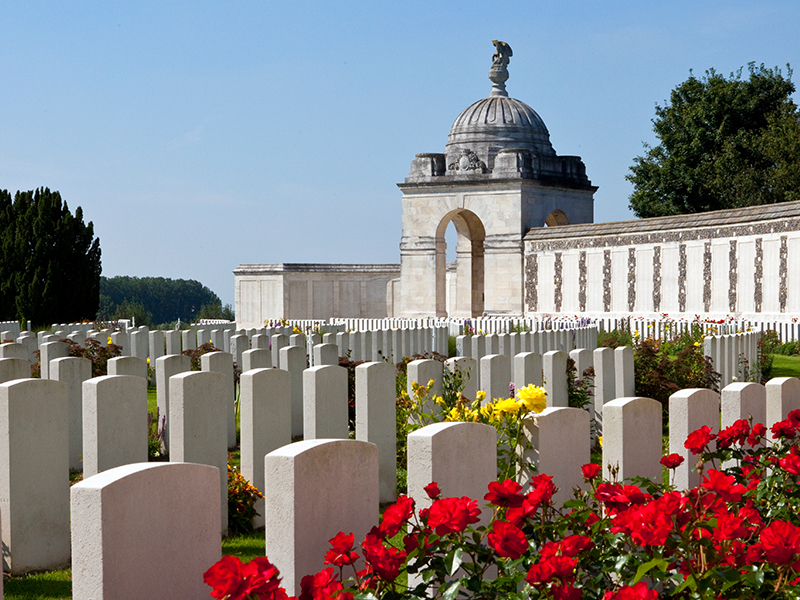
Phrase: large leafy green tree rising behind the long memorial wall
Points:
(724, 143)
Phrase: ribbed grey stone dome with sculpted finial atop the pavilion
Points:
(495, 123)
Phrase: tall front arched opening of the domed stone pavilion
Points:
(468, 299)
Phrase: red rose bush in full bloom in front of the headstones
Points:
(736, 535)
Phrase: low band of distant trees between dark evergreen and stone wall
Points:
(153, 300)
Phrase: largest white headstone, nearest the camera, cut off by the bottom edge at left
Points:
(129, 541)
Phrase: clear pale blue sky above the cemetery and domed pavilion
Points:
(201, 135)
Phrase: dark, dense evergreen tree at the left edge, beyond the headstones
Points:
(50, 268)
